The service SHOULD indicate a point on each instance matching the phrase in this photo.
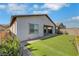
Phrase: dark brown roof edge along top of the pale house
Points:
(14, 17)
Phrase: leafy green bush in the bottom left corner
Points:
(10, 46)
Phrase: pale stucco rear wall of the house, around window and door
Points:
(23, 26)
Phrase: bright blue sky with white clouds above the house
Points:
(65, 13)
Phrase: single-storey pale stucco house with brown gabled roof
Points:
(28, 27)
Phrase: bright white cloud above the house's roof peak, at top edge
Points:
(55, 6)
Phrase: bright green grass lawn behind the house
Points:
(55, 46)
